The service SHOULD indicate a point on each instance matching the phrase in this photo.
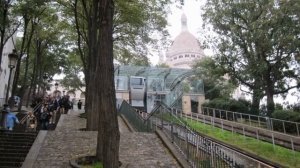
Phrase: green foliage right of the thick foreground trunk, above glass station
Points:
(138, 26)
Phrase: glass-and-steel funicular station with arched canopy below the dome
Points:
(141, 87)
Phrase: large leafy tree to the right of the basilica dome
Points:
(257, 43)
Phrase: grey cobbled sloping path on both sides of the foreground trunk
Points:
(137, 150)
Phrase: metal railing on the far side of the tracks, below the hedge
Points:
(286, 127)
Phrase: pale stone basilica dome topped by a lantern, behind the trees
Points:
(185, 49)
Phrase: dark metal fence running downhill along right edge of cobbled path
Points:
(198, 150)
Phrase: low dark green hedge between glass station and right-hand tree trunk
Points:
(241, 106)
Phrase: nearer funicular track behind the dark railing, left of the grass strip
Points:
(203, 151)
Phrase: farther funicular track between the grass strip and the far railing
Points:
(278, 138)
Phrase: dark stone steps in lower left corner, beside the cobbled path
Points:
(14, 147)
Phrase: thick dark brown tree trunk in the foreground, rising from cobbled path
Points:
(102, 101)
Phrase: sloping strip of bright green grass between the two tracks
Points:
(265, 150)
